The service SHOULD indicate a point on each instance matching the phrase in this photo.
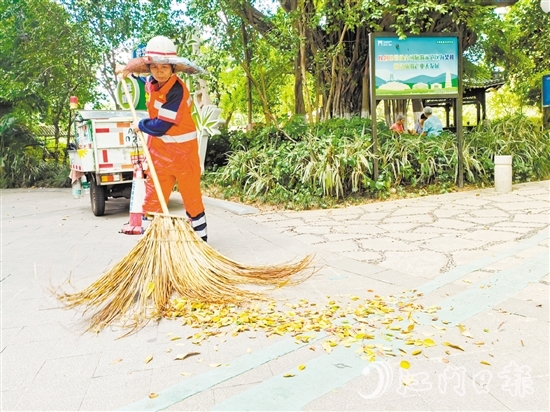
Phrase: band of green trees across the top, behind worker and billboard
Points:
(267, 59)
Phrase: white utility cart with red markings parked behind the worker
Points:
(105, 152)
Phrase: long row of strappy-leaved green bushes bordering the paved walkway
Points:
(302, 166)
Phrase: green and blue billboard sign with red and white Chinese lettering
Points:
(417, 66)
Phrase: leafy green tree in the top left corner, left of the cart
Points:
(45, 60)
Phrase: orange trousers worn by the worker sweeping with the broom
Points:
(175, 162)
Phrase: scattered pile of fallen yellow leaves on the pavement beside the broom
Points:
(355, 322)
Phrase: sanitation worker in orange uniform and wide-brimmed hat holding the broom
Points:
(172, 134)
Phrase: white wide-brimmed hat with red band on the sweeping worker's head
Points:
(161, 50)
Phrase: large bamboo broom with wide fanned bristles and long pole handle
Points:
(170, 261)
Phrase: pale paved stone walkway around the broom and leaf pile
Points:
(480, 258)
